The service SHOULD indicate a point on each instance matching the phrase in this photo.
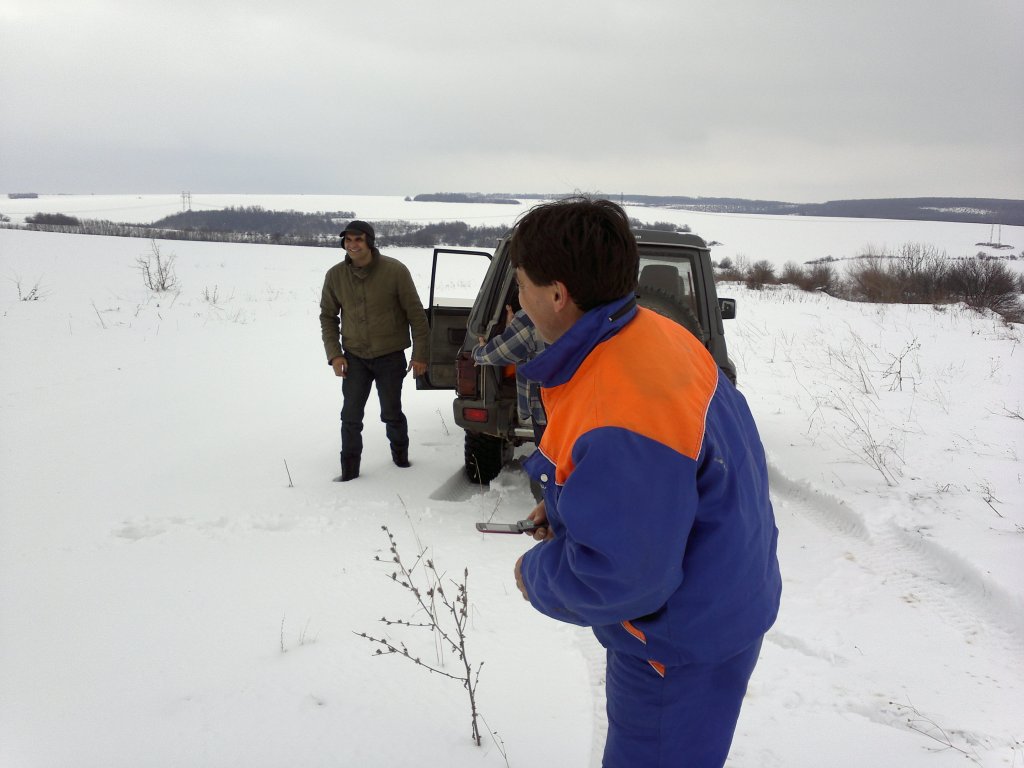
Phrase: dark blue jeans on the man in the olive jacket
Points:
(389, 372)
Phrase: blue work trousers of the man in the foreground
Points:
(684, 720)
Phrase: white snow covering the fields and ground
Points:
(169, 598)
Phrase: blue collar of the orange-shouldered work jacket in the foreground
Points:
(559, 363)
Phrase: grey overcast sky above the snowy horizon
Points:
(801, 101)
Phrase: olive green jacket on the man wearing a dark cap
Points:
(369, 311)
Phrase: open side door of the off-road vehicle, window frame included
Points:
(456, 277)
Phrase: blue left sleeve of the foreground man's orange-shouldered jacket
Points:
(621, 526)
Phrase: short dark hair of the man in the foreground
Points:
(586, 244)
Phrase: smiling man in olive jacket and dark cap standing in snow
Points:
(368, 307)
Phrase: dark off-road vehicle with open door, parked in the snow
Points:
(676, 280)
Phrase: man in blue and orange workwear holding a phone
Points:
(659, 532)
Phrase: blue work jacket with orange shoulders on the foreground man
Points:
(657, 492)
